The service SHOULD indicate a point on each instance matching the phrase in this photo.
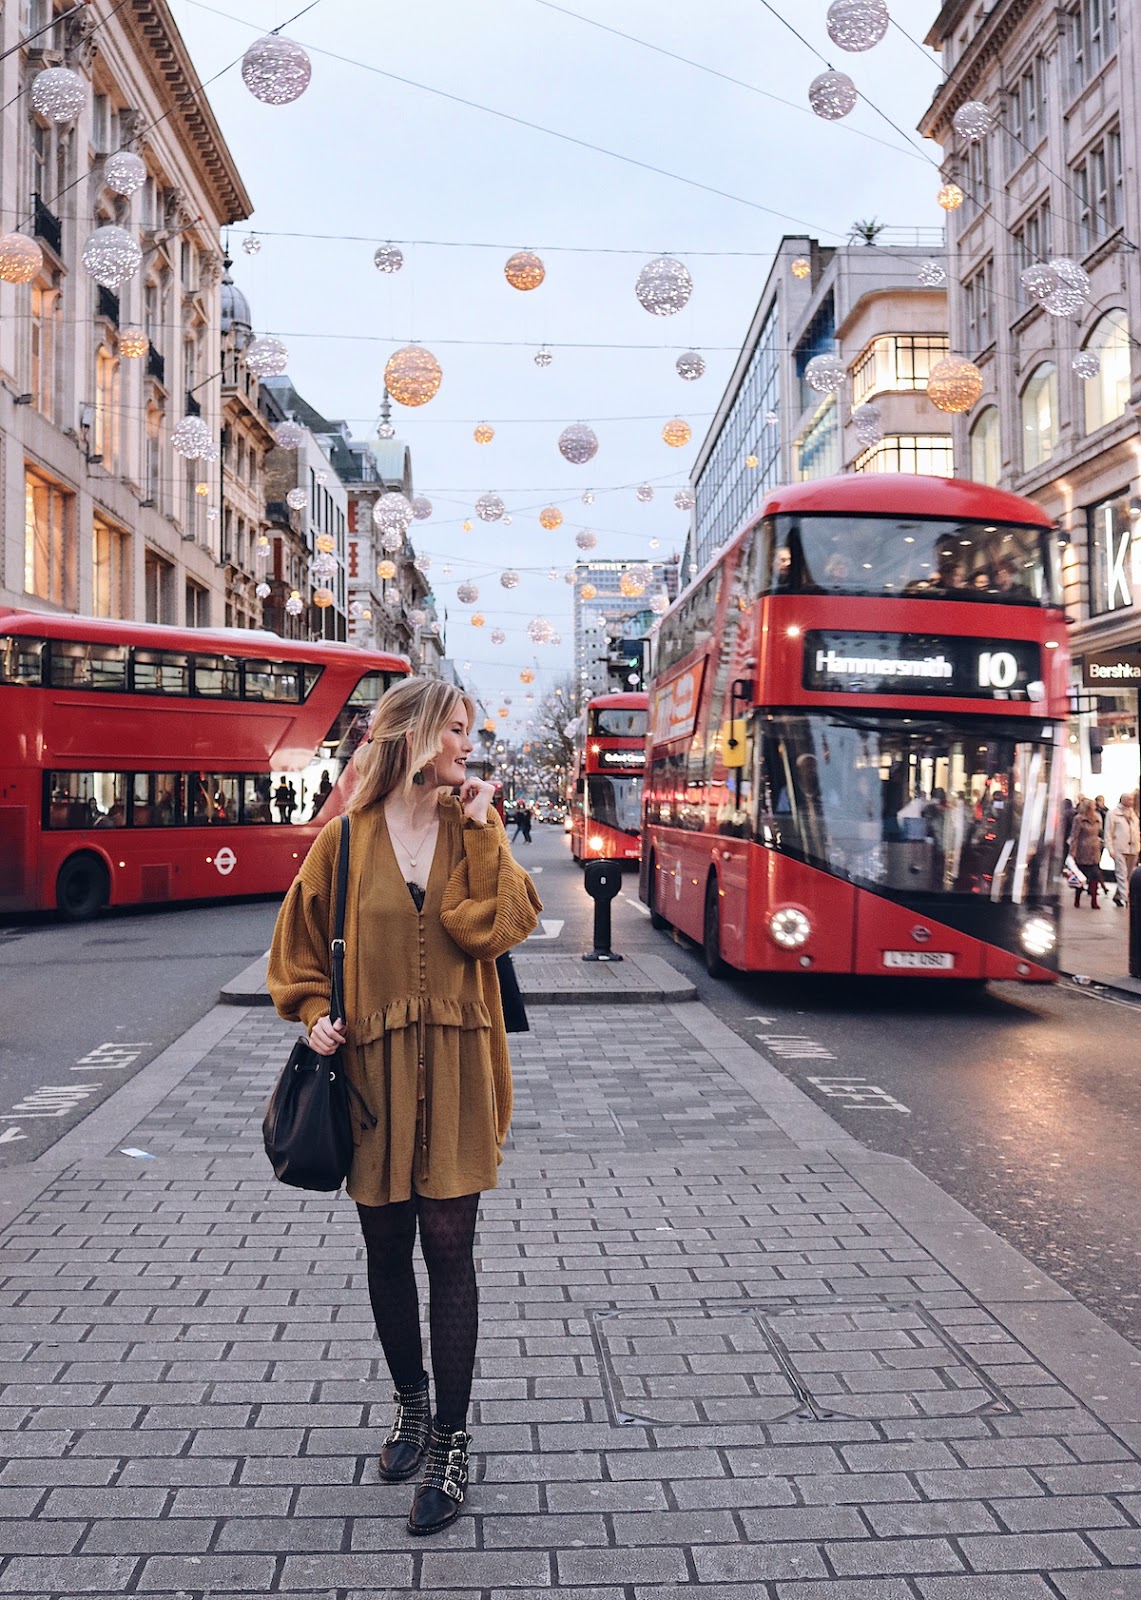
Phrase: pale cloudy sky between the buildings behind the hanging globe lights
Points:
(372, 151)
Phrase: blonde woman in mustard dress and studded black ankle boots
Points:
(434, 898)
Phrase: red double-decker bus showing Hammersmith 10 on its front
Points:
(855, 737)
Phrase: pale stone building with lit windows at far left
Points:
(100, 516)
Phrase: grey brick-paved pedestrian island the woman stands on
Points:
(708, 1359)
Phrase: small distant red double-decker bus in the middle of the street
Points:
(607, 786)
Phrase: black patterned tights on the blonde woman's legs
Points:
(447, 1231)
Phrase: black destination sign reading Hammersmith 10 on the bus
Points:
(919, 665)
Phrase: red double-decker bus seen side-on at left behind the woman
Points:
(158, 764)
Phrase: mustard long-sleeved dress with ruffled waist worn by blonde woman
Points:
(428, 1049)
